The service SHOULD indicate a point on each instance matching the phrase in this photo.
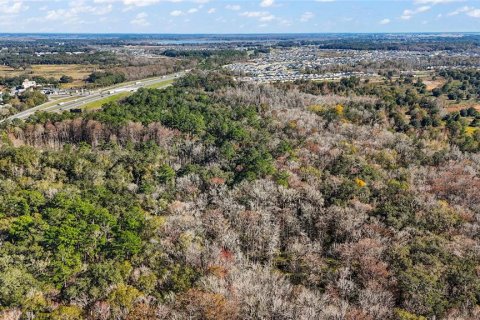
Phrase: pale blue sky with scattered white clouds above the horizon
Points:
(248, 16)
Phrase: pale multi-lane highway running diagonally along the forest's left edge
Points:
(93, 96)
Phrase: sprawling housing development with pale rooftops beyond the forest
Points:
(312, 63)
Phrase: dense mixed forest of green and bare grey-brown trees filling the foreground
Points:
(214, 199)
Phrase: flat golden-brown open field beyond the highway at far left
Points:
(77, 71)
